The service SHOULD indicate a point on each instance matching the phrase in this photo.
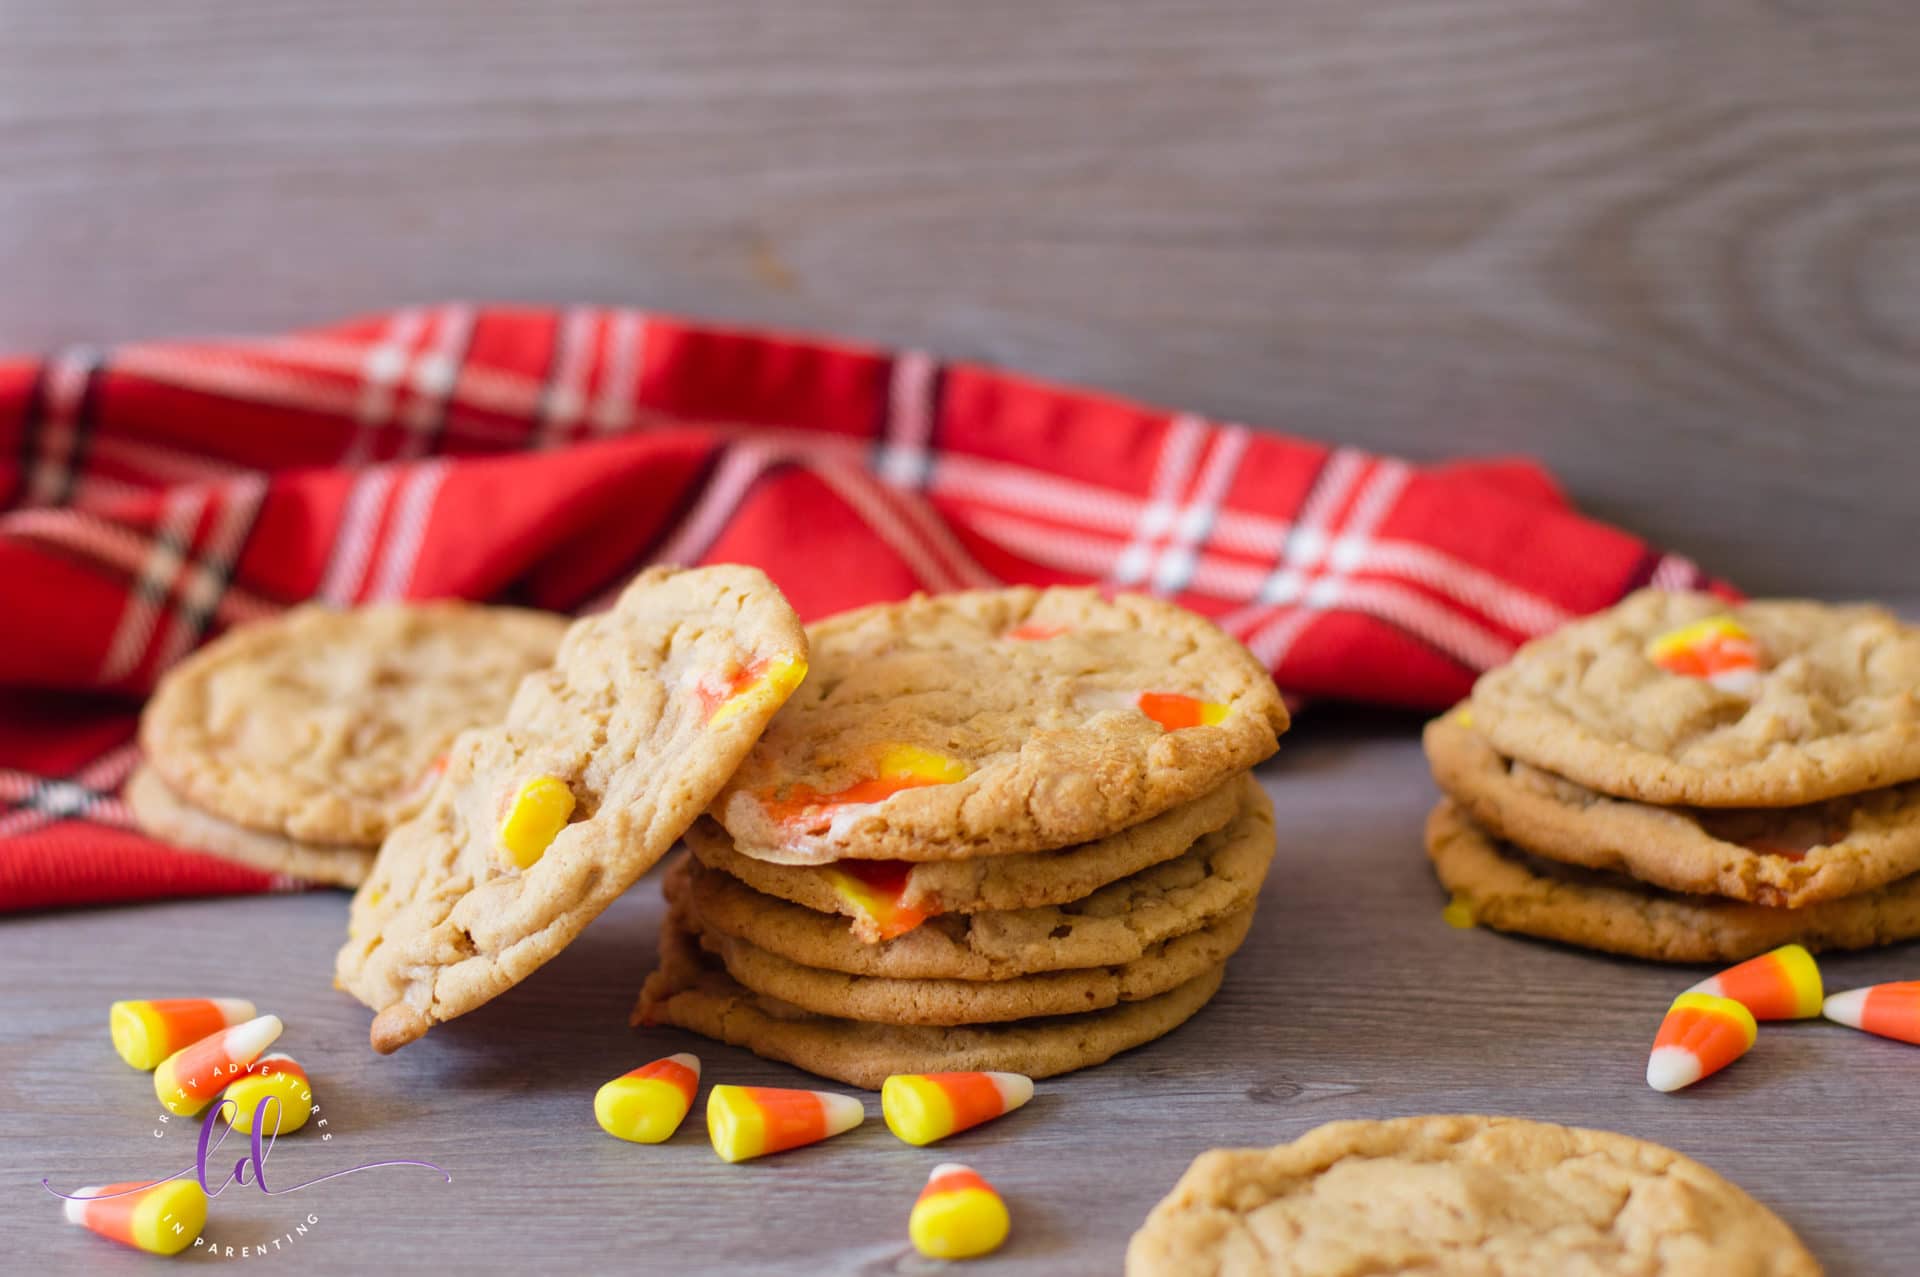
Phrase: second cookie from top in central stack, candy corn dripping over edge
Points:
(1019, 882)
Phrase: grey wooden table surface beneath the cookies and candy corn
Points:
(1351, 1000)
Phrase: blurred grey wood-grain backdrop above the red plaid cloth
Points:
(1673, 249)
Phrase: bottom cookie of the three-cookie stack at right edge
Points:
(1508, 890)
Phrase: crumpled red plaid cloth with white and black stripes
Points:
(153, 496)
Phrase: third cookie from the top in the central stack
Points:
(1116, 925)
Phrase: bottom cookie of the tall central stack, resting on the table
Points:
(694, 992)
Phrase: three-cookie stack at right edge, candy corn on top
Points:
(1687, 781)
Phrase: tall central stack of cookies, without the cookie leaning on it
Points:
(997, 831)
